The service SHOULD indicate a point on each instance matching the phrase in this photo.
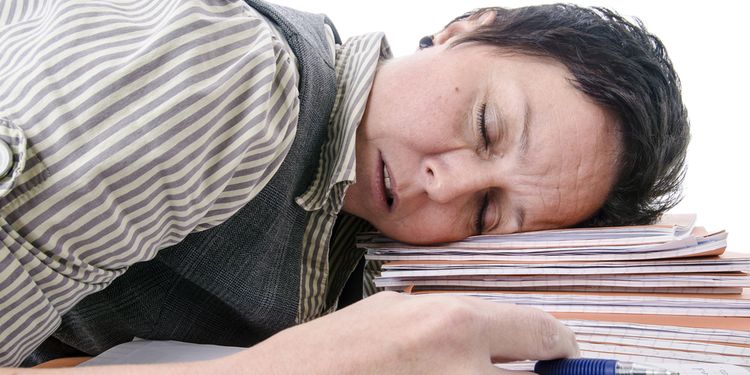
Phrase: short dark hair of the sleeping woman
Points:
(623, 68)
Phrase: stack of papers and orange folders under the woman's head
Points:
(664, 293)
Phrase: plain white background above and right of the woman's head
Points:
(707, 45)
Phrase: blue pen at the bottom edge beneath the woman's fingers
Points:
(590, 366)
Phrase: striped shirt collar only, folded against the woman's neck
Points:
(356, 63)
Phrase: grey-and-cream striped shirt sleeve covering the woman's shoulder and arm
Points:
(129, 125)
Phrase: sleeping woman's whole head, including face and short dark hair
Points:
(562, 119)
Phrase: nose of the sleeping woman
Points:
(453, 174)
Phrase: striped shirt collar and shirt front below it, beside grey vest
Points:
(356, 62)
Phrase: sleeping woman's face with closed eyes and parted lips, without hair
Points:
(477, 142)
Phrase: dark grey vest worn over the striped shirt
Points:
(237, 283)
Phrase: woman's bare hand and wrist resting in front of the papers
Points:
(392, 333)
